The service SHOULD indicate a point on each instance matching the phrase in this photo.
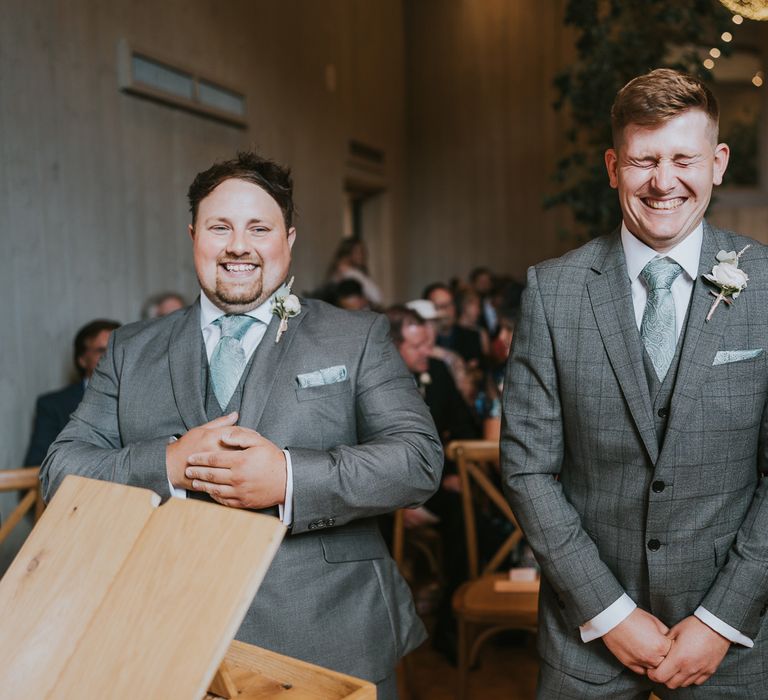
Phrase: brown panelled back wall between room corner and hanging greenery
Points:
(483, 139)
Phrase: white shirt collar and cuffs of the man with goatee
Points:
(209, 313)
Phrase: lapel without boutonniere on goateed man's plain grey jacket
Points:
(185, 359)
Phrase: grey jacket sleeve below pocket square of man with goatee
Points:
(397, 461)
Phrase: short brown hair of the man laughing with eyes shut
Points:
(652, 99)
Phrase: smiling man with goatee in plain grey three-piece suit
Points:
(324, 427)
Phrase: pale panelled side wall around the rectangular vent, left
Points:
(93, 180)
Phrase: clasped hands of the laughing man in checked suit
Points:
(687, 654)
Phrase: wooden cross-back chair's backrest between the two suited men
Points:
(477, 461)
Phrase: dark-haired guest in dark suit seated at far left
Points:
(53, 410)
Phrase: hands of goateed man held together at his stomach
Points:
(235, 466)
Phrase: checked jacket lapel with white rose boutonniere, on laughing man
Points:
(702, 339)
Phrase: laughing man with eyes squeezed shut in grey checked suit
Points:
(634, 432)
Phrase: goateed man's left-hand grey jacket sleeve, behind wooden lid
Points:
(90, 445)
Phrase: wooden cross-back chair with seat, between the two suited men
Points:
(481, 611)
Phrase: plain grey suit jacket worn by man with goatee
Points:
(359, 447)
